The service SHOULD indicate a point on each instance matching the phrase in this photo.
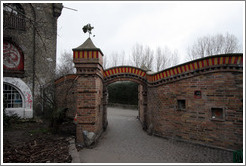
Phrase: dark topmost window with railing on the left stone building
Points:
(13, 16)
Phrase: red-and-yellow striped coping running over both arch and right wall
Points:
(227, 61)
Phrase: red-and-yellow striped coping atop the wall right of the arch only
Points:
(218, 62)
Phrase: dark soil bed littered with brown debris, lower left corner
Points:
(34, 142)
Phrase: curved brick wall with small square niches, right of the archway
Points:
(216, 85)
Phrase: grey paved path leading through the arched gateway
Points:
(126, 142)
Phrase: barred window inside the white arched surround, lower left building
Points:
(12, 98)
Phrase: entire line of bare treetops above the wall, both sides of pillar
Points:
(162, 57)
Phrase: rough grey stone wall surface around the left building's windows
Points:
(38, 44)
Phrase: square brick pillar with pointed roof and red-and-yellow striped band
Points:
(88, 60)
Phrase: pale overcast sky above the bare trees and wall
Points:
(118, 26)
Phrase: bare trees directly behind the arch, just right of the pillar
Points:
(143, 57)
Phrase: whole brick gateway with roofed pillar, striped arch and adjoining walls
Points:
(200, 101)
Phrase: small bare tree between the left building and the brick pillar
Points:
(65, 65)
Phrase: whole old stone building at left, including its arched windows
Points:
(29, 54)
